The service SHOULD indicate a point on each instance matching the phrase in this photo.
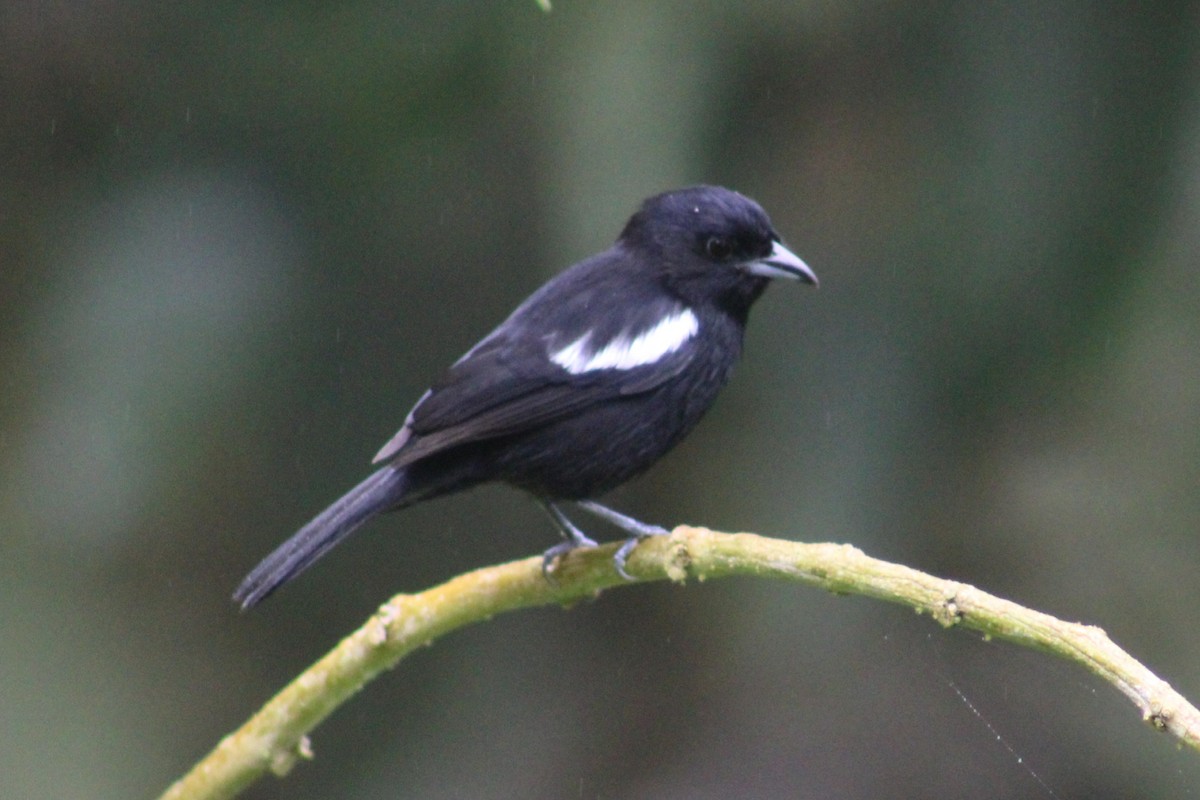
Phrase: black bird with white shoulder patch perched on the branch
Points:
(587, 384)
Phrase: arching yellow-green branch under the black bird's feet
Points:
(277, 737)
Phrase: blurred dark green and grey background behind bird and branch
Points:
(238, 240)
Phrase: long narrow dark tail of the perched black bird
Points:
(382, 491)
